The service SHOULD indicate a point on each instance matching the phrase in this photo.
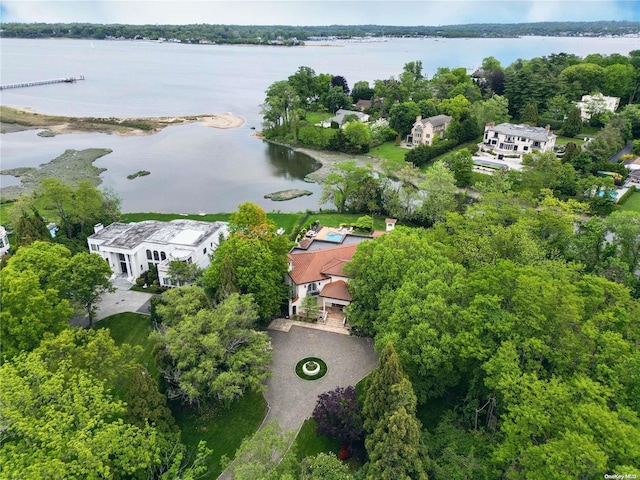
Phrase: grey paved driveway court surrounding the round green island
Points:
(292, 399)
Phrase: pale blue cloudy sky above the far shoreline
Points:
(316, 12)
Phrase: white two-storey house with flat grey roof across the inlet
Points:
(509, 139)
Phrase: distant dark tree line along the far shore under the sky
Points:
(256, 34)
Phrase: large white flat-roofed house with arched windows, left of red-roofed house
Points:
(131, 248)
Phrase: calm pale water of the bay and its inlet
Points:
(195, 168)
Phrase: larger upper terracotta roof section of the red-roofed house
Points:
(319, 264)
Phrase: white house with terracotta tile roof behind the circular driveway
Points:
(320, 273)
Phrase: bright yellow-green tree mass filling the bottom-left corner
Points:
(60, 416)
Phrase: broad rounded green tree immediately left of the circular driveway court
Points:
(215, 354)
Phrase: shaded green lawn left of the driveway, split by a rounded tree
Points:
(223, 428)
